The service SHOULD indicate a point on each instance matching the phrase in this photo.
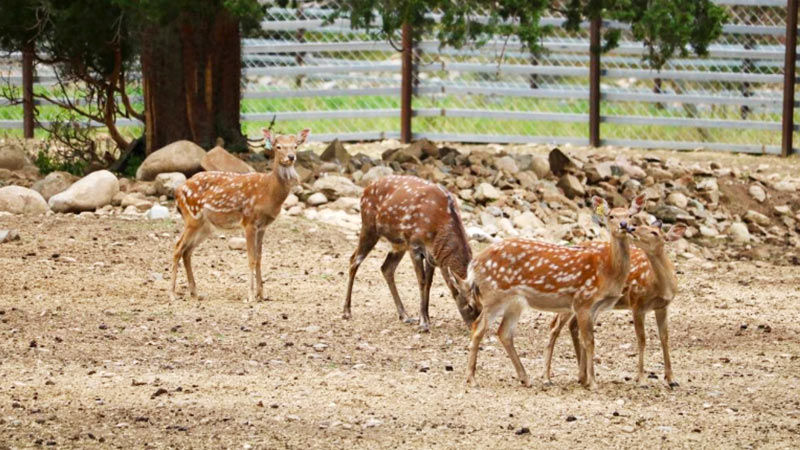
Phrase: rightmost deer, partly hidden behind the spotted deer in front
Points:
(651, 286)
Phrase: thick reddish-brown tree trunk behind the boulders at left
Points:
(191, 72)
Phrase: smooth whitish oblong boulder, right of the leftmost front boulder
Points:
(87, 194)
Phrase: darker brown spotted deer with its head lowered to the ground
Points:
(423, 219)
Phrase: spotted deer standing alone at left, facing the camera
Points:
(225, 200)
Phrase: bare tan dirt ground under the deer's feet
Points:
(94, 355)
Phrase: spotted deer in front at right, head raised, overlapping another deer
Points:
(512, 273)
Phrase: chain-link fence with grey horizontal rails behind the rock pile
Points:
(312, 70)
